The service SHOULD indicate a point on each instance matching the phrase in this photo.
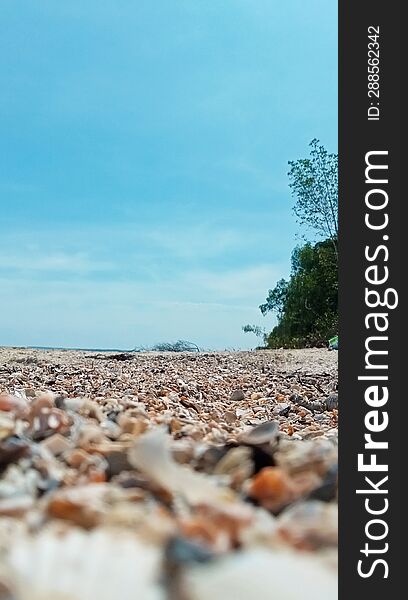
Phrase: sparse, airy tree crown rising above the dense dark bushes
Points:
(314, 183)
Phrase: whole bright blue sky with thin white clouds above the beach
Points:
(143, 163)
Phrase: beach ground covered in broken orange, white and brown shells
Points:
(168, 476)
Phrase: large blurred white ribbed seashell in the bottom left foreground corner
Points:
(61, 563)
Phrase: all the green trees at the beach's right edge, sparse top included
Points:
(306, 305)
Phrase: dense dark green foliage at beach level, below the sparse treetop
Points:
(306, 304)
